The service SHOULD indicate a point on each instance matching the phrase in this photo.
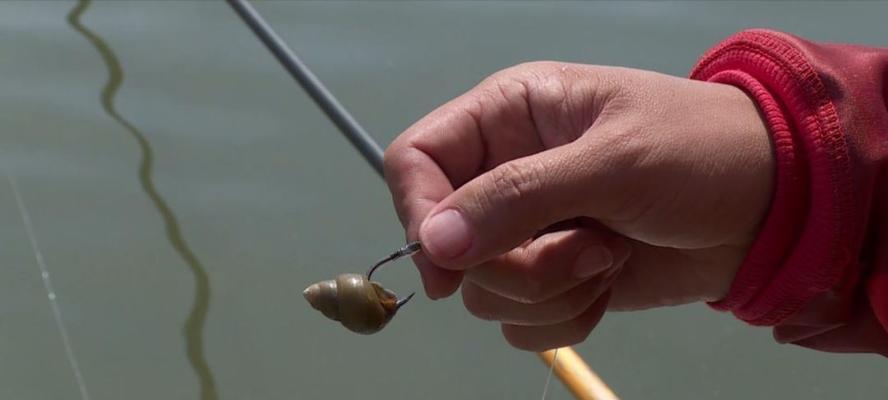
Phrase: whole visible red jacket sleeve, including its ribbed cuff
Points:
(818, 271)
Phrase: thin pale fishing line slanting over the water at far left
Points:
(47, 284)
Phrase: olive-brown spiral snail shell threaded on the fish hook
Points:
(360, 305)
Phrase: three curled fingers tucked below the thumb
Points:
(548, 292)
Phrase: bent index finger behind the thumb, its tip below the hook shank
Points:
(447, 148)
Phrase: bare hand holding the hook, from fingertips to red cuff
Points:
(566, 190)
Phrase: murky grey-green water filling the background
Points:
(183, 190)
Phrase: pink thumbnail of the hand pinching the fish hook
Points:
(446, 234)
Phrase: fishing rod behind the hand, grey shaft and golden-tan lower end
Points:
(571, 369)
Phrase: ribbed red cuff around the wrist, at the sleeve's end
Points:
(804, 247)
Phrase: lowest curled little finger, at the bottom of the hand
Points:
(540, 338)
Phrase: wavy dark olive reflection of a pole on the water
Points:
(193, 329)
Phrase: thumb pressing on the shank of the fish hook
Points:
(502, 208)
